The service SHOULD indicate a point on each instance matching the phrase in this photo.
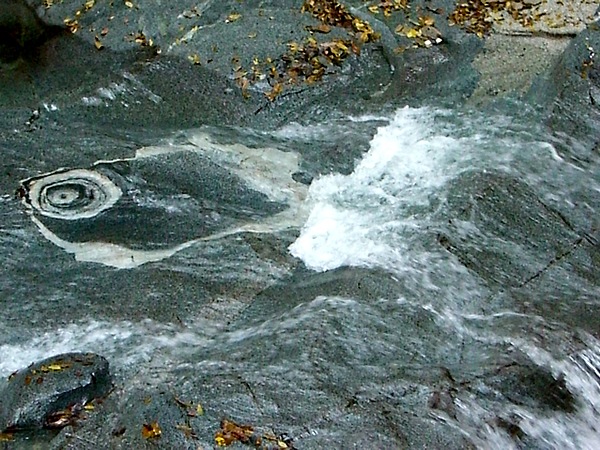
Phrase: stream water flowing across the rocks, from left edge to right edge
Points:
(423, 181)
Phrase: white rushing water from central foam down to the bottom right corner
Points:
(370, 219)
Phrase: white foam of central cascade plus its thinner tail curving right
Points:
(370, 217)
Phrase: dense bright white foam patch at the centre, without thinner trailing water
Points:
(354, 218)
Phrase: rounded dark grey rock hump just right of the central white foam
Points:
(499, 228)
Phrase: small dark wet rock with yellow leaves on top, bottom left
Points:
(53, 391)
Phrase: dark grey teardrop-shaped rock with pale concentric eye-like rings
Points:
(171, 188)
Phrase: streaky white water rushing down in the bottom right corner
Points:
(551, 348)
